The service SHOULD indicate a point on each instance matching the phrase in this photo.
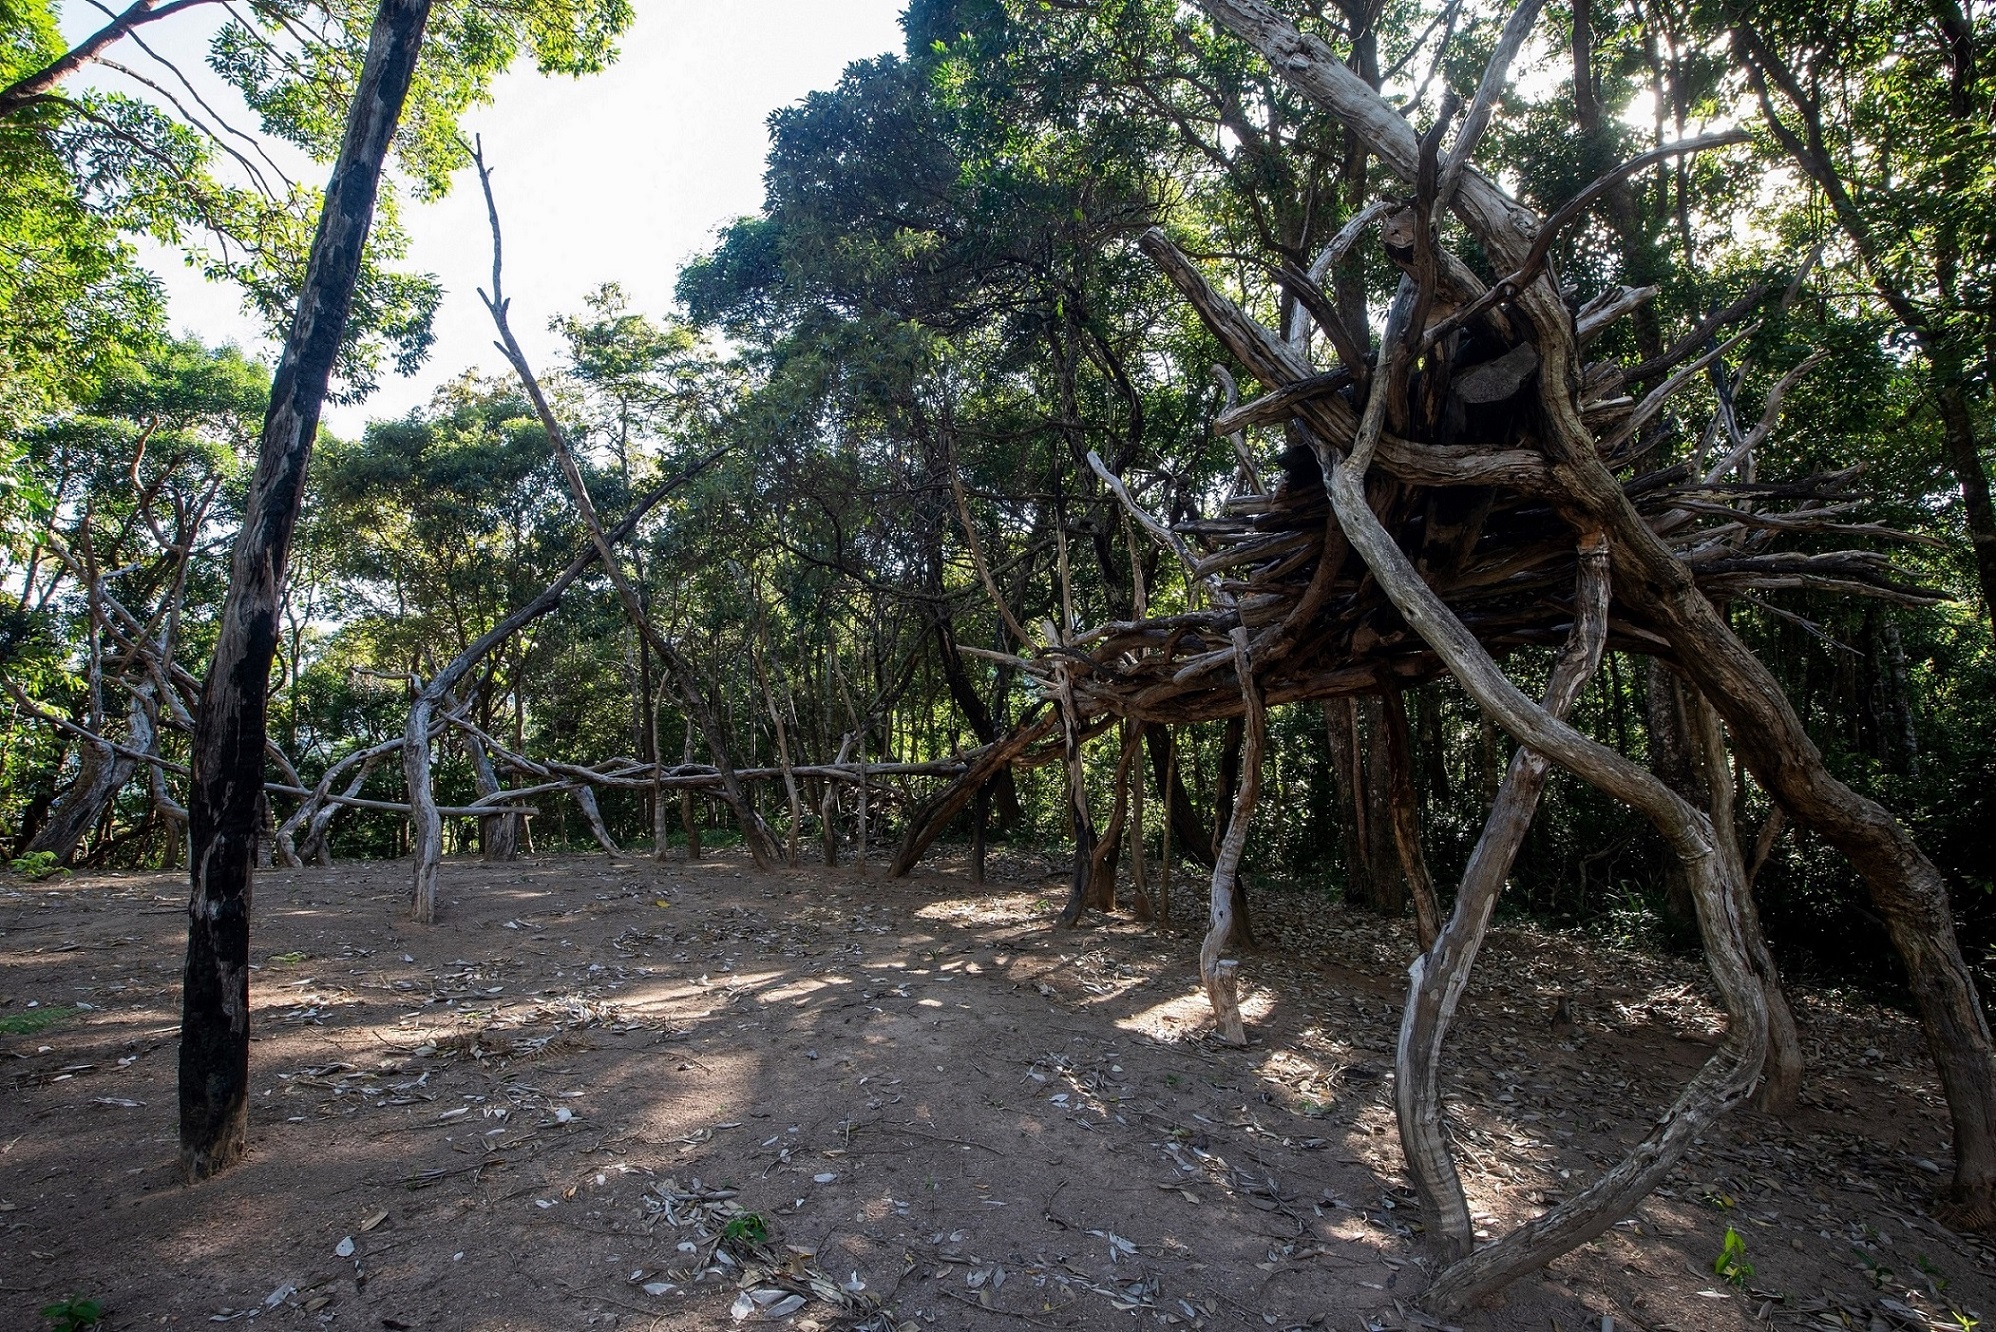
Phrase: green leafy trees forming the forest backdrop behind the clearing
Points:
(943, 283)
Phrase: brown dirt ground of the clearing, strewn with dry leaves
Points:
(608, 1093)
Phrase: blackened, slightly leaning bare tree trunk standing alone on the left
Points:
(229, 742)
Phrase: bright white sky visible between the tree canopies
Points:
(614, 179)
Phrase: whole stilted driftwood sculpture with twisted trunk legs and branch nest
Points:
(1468, 488)
